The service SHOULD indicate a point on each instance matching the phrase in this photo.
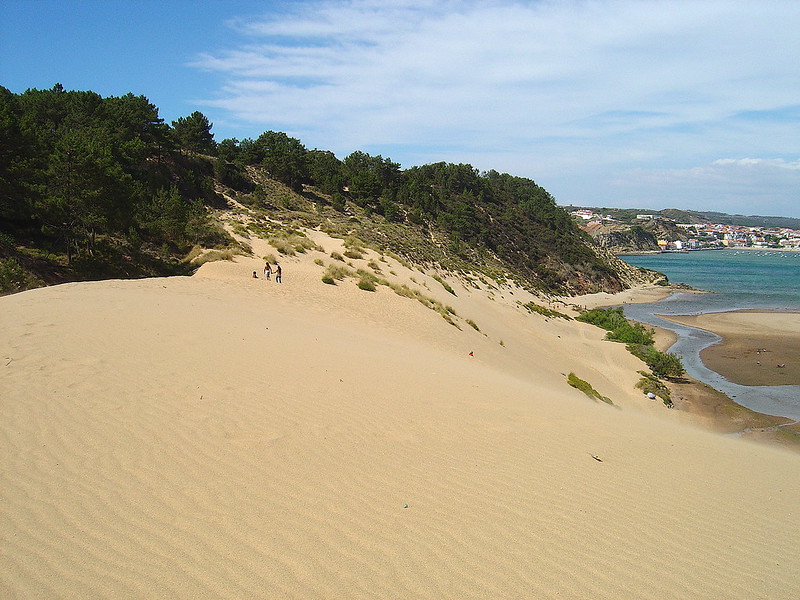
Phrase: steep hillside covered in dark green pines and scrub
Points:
(94, 187)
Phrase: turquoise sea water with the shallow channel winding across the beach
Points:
(737, 279)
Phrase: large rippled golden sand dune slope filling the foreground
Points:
(224, 437)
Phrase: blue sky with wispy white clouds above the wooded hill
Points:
(609, 103)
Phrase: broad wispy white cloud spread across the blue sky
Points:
(546, 89)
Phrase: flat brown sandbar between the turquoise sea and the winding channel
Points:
(757, 347)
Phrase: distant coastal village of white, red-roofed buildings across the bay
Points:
(696, 236)
